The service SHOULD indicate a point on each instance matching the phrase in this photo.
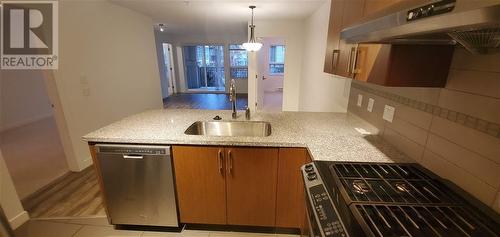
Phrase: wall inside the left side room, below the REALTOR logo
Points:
(23, 98)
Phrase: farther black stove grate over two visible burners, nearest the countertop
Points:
(390, 183)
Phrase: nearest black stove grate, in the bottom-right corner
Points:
(428, 221)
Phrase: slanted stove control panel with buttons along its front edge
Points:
(324, 214)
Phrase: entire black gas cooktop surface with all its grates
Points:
(405, 200)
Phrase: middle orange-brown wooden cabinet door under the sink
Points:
(251, 186)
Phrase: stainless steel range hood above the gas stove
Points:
(475, 24)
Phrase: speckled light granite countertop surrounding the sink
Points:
(328, 136)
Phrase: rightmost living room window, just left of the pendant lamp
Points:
(238, 60)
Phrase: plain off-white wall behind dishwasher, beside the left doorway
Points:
(108, 68)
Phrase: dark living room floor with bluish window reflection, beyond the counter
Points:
(204, 101)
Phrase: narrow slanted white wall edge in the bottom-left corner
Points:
(9, 200)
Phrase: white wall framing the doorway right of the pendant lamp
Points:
(292, 32)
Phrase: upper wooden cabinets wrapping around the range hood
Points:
(383, 64)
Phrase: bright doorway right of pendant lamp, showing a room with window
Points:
(271, 73)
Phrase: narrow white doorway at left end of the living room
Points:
(168, 78)
